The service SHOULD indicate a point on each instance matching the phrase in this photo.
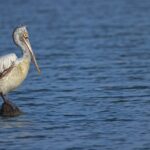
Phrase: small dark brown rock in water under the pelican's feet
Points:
(8, 109)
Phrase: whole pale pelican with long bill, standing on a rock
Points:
(13, 70)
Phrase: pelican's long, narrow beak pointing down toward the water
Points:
(27, 43)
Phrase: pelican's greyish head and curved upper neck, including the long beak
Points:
(21, 38)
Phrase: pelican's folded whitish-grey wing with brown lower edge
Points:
(6, 63)
